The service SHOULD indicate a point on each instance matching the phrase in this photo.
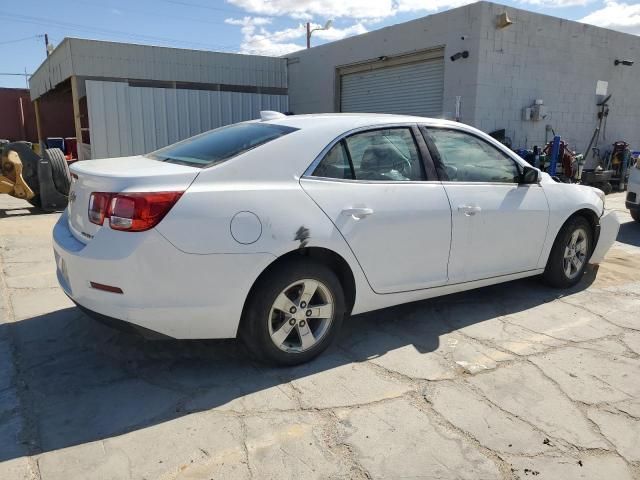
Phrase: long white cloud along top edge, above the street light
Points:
(357, 9)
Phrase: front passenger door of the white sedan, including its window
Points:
(499, 225)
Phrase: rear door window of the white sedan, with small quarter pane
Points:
(387, 154)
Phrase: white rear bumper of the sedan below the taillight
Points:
(163, 289)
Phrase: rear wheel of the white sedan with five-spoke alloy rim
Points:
(294, 313)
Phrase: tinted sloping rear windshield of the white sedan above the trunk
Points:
(221, 144)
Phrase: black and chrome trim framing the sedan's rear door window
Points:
(427, 167)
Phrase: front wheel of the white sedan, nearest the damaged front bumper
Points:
(570, 254)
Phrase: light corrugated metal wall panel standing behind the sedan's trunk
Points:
(126, 120)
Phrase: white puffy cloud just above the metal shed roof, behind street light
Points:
(258, 40)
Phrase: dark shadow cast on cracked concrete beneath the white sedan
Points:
(79, 381)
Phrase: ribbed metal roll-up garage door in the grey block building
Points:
(410, 88)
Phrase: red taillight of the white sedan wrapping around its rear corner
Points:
(132, 212)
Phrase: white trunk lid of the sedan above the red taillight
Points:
(125, 174)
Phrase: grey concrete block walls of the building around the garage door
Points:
(537, 57)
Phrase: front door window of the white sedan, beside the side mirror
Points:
(467, 158)
